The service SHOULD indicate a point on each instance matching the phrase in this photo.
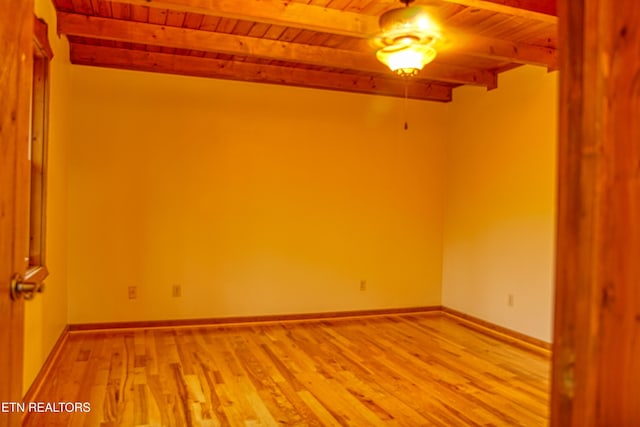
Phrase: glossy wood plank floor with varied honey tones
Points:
(399, 370)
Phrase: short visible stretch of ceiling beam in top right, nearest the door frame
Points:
(539, 10)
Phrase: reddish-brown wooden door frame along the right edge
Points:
(596, 360)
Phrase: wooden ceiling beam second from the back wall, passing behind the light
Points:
(183, 38)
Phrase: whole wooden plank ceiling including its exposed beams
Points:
(310, 43)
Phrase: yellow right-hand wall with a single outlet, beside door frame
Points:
(500, 202)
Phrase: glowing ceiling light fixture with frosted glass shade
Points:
(407, 38)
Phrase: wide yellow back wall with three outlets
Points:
(257, 199)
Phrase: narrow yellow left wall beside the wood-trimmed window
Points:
(46, 315)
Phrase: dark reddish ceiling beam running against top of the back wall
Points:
(214, 68)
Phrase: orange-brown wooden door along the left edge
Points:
(16, 63)
